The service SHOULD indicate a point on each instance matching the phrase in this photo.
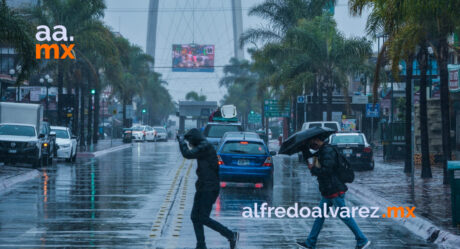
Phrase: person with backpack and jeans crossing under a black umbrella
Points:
(324, 167)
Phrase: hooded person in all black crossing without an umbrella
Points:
(207, 186)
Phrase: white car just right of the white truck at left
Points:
(67, 143)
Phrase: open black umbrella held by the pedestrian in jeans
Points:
(298, 140)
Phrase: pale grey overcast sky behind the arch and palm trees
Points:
(202, 22)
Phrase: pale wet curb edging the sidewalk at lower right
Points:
(418, 225)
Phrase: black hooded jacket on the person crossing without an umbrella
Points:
(204, 152)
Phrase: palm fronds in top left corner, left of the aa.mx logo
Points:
(17, 33)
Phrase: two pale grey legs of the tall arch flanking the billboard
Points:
(237, 16)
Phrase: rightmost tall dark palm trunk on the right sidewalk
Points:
(445, 107)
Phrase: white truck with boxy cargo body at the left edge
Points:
(24, 136)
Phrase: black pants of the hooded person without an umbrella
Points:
(201, 210)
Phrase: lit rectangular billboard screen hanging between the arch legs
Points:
(193, 58)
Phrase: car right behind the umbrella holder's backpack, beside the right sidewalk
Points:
(355, 148)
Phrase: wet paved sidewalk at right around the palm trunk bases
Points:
(430, 197)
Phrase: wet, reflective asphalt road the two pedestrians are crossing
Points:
(141, 197)
